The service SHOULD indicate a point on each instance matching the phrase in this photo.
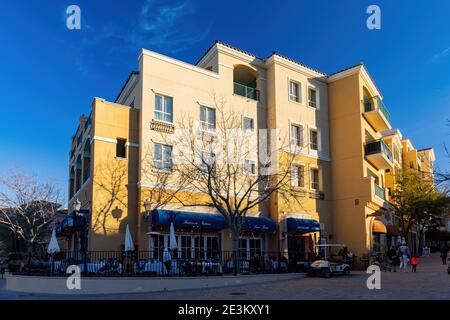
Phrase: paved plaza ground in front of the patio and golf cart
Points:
(430, 282)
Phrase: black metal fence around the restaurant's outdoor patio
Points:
(157, 264)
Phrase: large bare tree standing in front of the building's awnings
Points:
(230, 169)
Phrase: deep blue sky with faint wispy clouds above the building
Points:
(49, 74)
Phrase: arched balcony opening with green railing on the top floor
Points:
(244, 79)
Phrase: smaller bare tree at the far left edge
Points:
(28, 207)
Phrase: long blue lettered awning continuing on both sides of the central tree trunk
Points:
(184, 219)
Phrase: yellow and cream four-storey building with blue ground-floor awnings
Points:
(337, 128)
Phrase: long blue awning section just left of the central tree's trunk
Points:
(183, 219)
